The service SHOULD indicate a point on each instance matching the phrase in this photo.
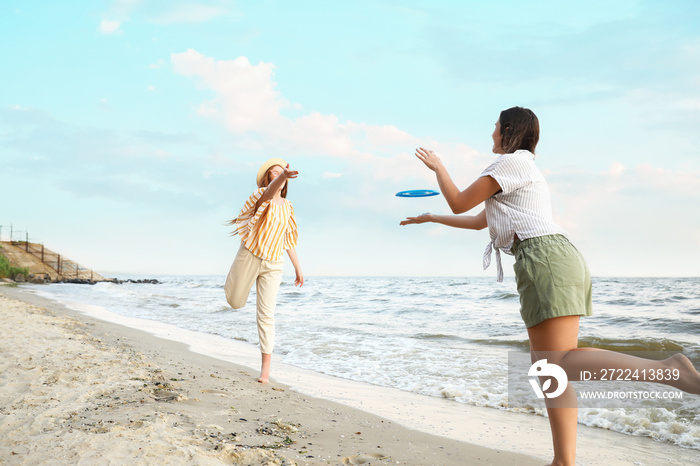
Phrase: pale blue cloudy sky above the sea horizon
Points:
(132, 130)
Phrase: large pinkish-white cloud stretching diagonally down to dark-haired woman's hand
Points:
(248, 103)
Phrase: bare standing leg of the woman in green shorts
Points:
(559, 334)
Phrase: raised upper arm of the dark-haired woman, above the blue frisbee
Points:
(459, 201)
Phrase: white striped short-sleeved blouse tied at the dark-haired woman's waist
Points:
(523, 207)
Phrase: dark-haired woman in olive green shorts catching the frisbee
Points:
(552, 277)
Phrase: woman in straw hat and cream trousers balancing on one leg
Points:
(267, 227)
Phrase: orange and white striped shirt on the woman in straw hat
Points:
(268, 231)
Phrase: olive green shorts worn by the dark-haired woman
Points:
(553, 279)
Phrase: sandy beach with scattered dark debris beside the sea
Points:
(79, 390)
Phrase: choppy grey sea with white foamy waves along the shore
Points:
(440, 337)
